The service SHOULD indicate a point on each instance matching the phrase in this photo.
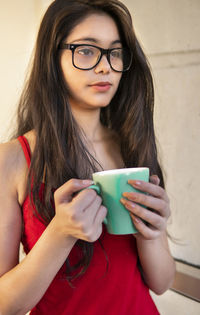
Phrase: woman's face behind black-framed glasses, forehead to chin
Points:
(96, 87)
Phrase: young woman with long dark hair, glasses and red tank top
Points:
(87, 106)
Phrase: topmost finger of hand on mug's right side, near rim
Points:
(149, 188)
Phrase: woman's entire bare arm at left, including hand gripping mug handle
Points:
(23, 284)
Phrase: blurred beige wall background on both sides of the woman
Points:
(169, 31)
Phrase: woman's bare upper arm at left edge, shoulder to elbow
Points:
(12, 170)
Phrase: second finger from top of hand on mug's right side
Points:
(160, 205)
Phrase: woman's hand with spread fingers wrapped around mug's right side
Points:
(156, 200)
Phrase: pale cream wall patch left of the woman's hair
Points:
(19, 20)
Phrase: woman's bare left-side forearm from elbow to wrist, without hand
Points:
(23, 286)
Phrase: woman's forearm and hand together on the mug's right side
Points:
(157, 263)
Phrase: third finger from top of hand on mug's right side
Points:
(148, 216)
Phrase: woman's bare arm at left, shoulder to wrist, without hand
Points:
(22, 285)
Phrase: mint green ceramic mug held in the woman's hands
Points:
(110, 185)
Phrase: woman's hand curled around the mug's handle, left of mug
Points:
(80, 215)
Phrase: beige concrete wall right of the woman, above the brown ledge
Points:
(169, 31)
